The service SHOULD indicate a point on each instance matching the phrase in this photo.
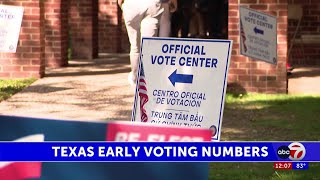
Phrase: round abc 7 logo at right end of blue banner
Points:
(295, 151)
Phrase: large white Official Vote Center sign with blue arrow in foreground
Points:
(182, 82)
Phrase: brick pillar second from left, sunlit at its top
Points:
(56, 33)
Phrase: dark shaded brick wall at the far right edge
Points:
(307, 51)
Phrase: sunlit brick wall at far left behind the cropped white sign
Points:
(28, 61)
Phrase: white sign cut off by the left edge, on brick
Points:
(10, 23)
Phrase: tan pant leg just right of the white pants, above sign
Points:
(165, 22)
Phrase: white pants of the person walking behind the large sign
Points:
(141, 20)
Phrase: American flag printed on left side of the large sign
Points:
(143, 94)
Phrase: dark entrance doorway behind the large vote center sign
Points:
(200, 19)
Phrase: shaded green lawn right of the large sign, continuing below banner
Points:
(260, 117)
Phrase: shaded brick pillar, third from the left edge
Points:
(82, 24)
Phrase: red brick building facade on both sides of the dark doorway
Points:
(90, 27)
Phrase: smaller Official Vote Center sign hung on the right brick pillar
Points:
(258, 35)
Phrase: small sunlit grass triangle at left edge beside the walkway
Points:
(12, 86)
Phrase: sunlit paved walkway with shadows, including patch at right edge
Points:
(98, 90)
